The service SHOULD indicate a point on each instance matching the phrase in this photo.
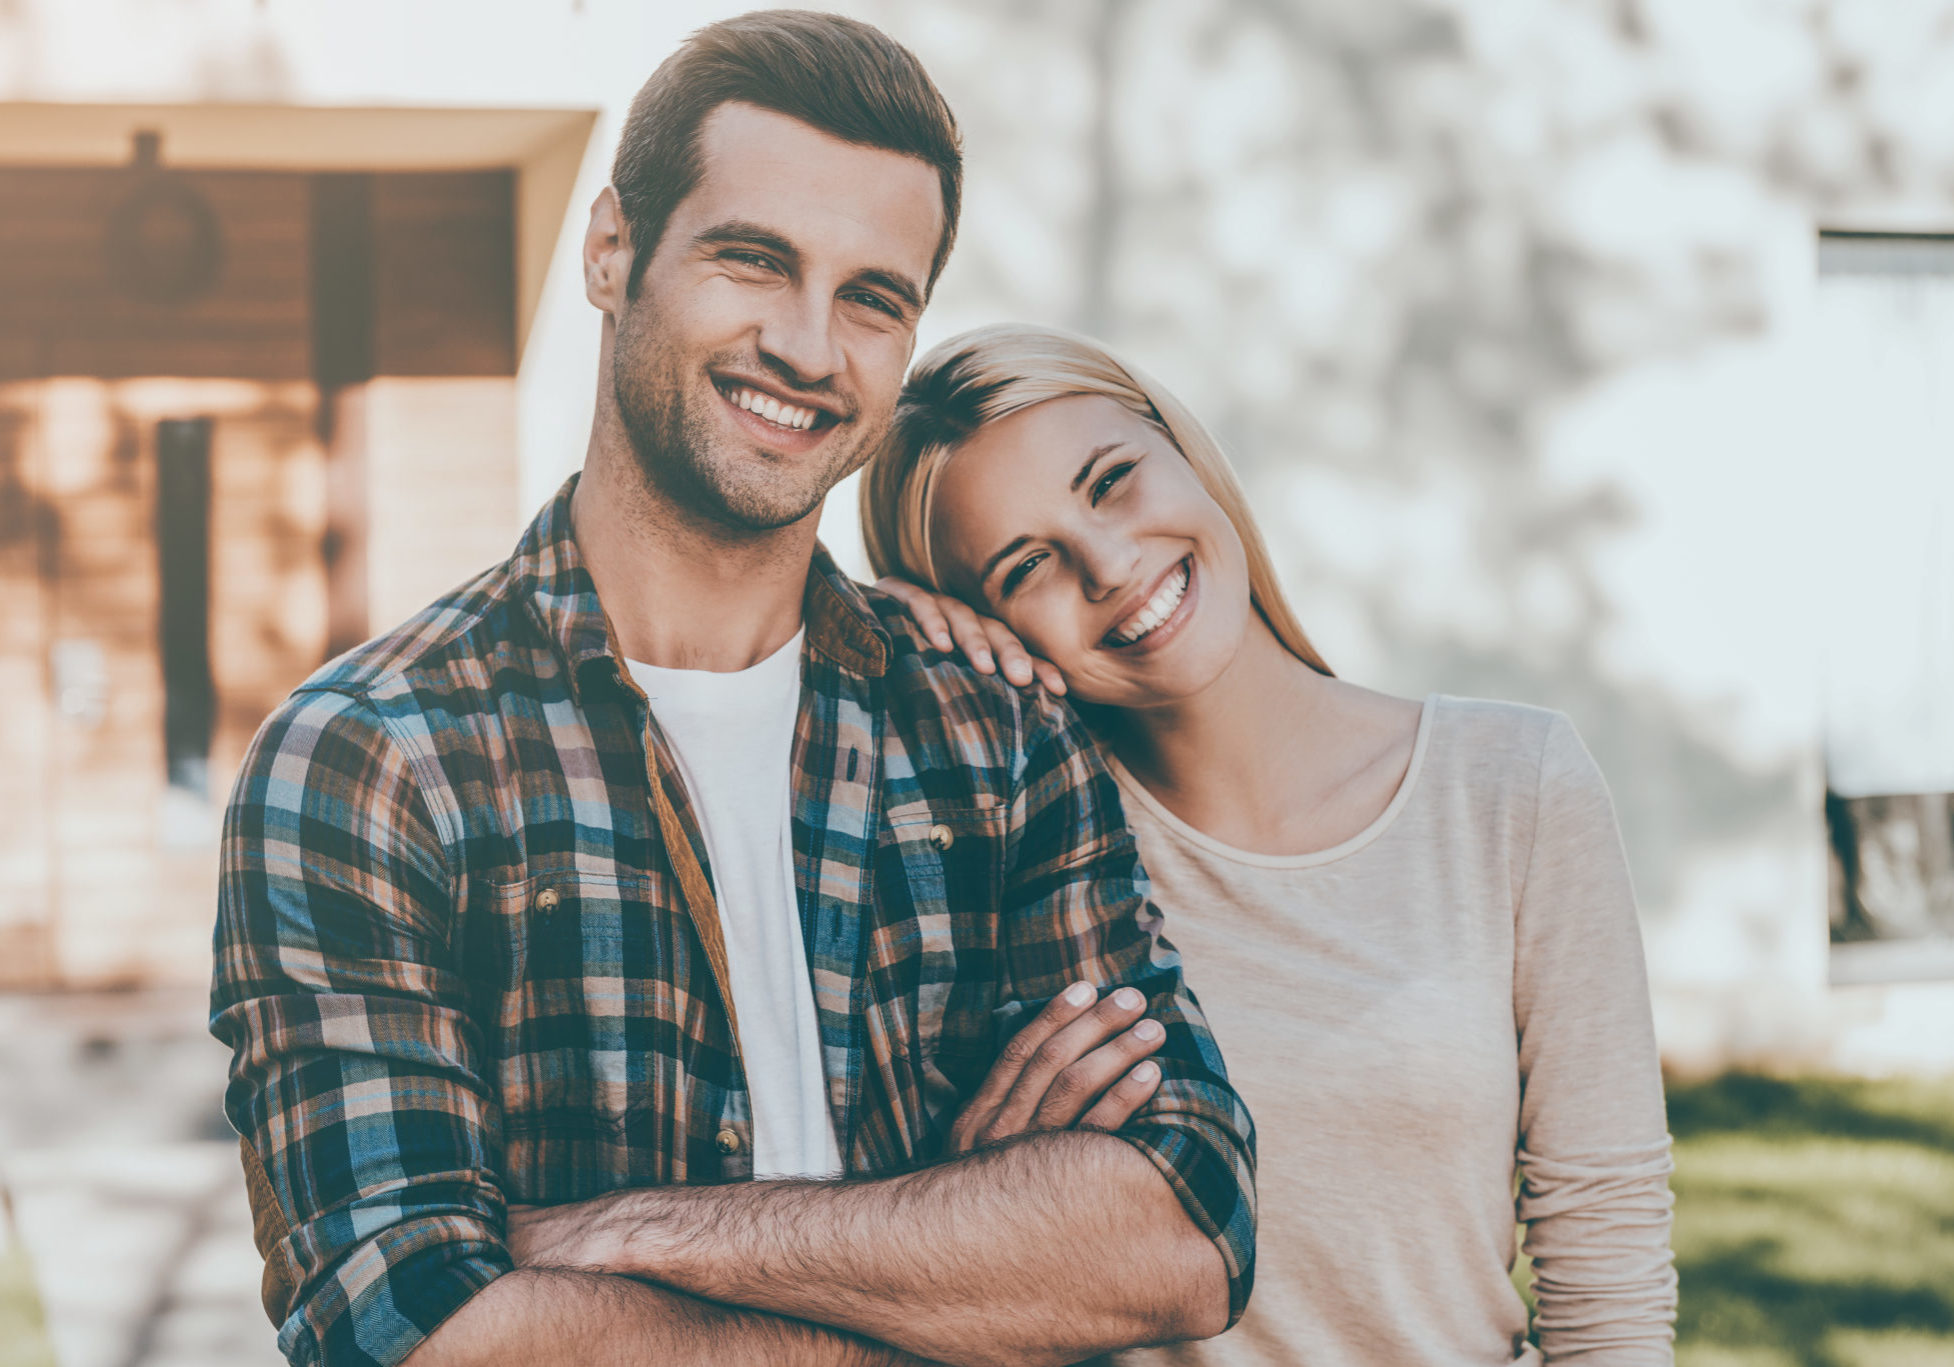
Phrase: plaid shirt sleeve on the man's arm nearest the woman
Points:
(1078, 907)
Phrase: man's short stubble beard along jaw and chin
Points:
(689, 464)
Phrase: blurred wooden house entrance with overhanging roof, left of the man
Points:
(257, 401)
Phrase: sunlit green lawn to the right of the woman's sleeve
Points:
(1814, 1222)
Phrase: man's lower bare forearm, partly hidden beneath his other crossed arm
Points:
(581, 1319)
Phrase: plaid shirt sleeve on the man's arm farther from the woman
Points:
(357, 1079)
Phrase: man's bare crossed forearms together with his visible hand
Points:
(1033, 1247)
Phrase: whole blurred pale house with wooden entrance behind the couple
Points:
(1590, 352)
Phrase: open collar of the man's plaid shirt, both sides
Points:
(550, 575)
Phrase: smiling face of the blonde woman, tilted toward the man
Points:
(1085, 530)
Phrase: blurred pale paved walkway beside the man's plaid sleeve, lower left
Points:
(126, 1182)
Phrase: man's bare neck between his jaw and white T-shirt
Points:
(679, 591)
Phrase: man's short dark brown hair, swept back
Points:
(837, 75)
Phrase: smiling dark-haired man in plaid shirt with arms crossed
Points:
(663, 858)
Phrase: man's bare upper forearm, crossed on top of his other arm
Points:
(1042, 1251)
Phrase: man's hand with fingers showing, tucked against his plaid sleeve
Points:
(1082, 1065)
